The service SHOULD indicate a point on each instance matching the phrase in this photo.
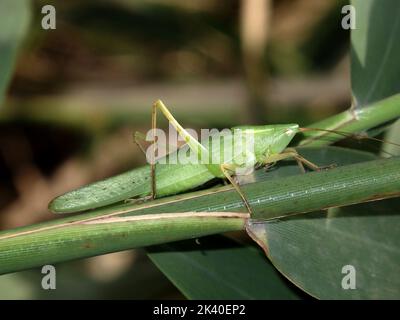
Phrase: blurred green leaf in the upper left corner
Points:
(14, 22)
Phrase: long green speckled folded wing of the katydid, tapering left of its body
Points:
(131, 184)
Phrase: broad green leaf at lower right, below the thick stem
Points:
(312, 249)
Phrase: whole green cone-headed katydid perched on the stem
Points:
(270, 145)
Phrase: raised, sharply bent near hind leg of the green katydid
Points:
(190, 140)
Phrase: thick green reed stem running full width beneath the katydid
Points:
(119, 228)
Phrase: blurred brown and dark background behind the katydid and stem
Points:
(80, 91)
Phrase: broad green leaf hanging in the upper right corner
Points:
(375, 51)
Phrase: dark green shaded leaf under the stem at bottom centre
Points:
(216, 267)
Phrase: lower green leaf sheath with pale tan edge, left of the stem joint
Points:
(74, 238)
